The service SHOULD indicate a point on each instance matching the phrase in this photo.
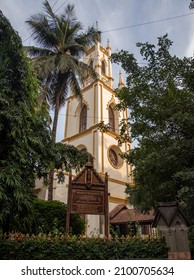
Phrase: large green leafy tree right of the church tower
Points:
(160, 97)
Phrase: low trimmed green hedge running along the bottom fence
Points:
(82, 249)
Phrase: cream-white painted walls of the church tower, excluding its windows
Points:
(97, 96)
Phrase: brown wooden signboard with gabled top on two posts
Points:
(88, 194)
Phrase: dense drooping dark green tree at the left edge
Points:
(27, 150)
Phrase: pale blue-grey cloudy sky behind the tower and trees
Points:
(123, 22)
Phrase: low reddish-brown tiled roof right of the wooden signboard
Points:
(121, 215)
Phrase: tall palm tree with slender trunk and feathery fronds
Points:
(61, 43)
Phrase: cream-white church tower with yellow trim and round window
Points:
(81, 131)
